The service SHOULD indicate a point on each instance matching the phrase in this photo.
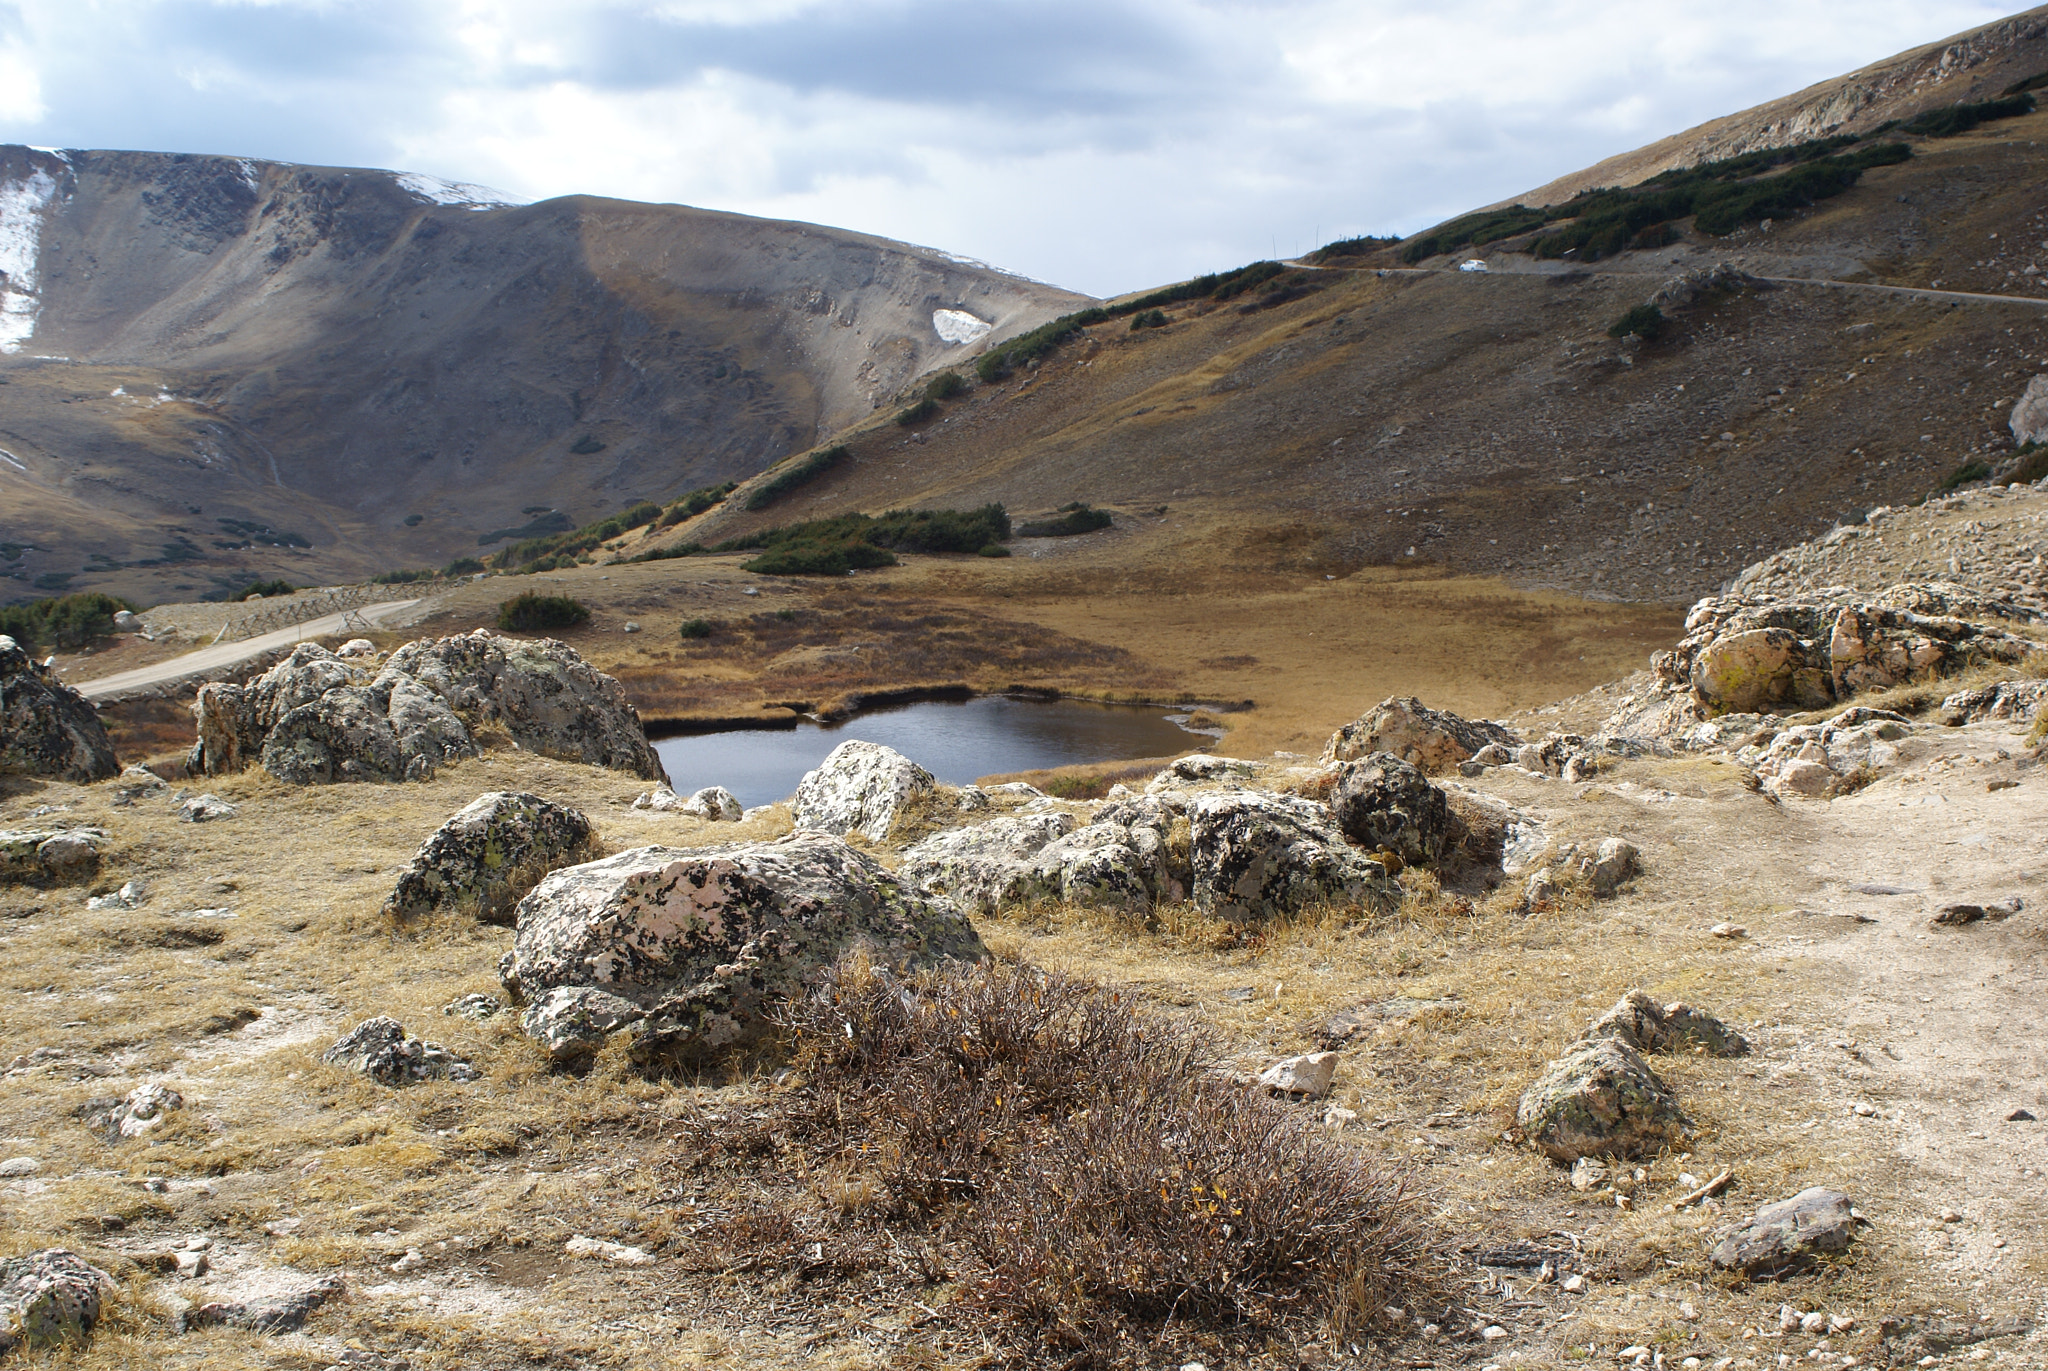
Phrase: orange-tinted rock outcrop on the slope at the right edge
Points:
(1746, 655)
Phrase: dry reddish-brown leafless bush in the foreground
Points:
(1095, 1161)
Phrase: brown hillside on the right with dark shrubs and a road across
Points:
(1375, 405)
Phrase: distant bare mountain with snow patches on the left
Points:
(218, 370)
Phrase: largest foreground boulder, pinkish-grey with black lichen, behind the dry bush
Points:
(693, 950)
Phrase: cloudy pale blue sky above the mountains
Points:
(1095, 144)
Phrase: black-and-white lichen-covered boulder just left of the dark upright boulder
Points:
(1256, 856)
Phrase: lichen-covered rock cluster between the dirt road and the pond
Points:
(314, 718)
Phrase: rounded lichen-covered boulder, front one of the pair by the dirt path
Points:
(1601, 1099)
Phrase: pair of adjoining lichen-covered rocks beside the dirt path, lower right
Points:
(1603, 1099)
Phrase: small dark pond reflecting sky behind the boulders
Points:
(955, 741)
